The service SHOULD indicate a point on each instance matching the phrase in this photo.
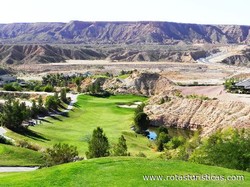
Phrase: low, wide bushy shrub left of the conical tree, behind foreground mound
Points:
(60, 153)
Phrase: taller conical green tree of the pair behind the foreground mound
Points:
(98, 145)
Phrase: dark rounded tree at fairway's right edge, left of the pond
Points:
(141, 122)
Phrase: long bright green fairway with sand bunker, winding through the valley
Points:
(89, 113)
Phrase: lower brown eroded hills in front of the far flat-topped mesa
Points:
(44, 53)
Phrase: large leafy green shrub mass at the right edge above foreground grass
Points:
(229, 148)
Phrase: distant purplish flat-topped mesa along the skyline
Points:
(77, 32)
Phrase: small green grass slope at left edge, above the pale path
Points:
(16, 156)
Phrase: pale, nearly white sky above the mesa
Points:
(185, 11)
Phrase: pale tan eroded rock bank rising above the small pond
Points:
(193, 114)
